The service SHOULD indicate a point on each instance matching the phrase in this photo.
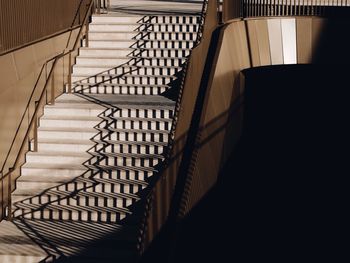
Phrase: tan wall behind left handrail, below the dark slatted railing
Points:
(19, 72)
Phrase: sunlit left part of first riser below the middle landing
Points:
(58, 111)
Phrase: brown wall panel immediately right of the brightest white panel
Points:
(304, 40)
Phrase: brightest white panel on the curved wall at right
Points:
(289, 40)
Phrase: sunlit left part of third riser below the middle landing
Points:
(67, 135)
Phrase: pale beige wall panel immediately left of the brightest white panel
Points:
(275, 37)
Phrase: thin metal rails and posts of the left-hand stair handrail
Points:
(34, 119)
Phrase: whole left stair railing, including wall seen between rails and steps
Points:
(54, 78)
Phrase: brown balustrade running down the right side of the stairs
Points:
(159, 198)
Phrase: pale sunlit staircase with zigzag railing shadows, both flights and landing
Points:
(79, 195)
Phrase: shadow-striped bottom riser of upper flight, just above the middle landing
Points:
(121, 90)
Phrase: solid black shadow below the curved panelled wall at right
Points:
(282, 194)
